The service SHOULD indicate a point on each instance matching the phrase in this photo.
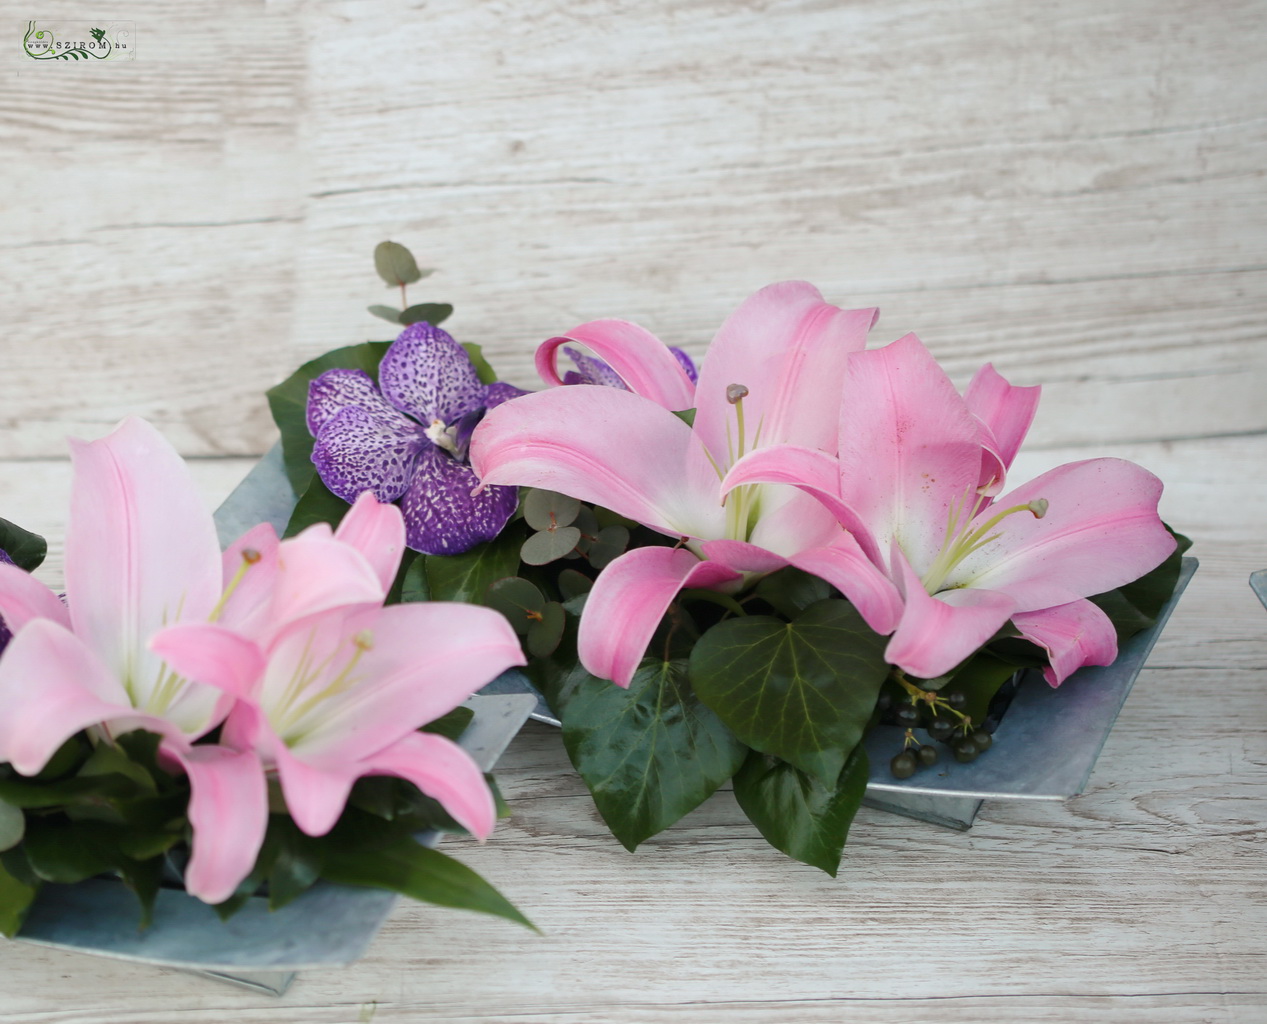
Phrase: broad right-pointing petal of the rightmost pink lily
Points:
(1102, 530)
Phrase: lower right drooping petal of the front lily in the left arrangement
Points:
(443, 771)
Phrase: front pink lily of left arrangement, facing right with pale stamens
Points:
(339, 696)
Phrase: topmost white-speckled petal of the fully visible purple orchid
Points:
(429, 376)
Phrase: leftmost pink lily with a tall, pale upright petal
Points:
(143, 554)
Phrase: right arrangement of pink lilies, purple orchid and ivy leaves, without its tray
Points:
(733, 575)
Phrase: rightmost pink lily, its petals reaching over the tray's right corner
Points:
(914, 481)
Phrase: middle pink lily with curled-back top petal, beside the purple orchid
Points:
(772, 376)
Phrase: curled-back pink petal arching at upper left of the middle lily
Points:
(638, 357)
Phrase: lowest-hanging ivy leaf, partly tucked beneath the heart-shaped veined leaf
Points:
(796, 813)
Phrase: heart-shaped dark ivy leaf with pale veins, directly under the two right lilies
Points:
(803, 691)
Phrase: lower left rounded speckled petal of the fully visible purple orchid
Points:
(357, 452)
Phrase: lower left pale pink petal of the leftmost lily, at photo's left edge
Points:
(74, 691)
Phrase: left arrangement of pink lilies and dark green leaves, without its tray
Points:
(255, 718)
